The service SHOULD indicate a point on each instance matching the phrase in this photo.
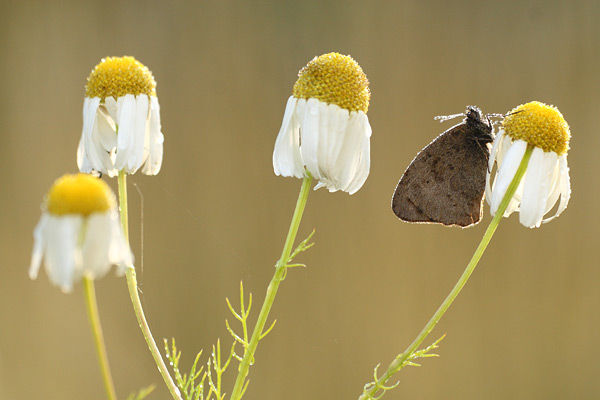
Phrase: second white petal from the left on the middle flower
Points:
(309, 136)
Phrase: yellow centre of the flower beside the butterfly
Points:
(540, 125)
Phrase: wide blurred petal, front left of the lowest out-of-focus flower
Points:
(62, 255)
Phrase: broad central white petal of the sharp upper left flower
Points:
(126, 108)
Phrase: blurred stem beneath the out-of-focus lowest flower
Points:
(92, 310)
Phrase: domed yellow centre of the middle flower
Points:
(334, 79)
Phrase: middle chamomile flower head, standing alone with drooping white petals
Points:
(325, 128)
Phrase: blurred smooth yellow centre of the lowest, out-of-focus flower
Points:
(79, 194)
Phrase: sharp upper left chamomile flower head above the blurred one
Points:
(121, 120)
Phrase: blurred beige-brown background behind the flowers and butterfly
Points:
(526, 325)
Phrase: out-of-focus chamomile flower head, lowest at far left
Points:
(79, 233)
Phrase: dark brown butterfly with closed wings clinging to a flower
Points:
(445, 182)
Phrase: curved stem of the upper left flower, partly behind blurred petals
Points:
(135, 298)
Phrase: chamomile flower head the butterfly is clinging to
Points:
(543, 128)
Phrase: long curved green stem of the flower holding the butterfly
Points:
(399, 362)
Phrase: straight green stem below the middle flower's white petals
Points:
(280, 269)
